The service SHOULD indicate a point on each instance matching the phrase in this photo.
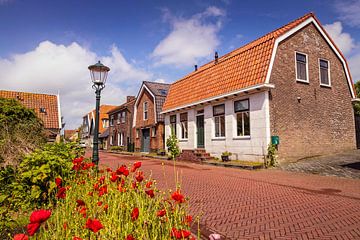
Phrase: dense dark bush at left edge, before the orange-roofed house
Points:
(21, 131)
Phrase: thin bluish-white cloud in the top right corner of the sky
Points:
(349, 12)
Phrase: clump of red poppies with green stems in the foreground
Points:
(110, 204)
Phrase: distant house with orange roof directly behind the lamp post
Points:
(87, 129)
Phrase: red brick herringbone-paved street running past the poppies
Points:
(264, 204)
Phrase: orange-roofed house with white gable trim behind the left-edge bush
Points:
(46, 107)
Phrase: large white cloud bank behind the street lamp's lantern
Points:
(50, 68)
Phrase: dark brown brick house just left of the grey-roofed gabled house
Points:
(120, 124)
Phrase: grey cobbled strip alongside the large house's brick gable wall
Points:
(341, 165)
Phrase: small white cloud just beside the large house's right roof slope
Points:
(343, 40)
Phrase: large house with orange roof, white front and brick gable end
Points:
(292, 84)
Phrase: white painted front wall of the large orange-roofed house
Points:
(242, 148)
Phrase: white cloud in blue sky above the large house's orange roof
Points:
(190, 40)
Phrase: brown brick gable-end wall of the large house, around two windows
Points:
(322, 122)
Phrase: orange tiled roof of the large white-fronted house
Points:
(244, 67)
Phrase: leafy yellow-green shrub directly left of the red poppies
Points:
(31, 184)
